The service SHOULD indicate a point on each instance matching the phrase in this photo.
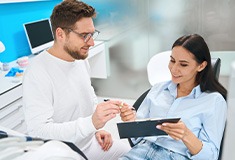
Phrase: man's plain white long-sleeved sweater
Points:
(58, 99)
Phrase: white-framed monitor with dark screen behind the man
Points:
(39, 35)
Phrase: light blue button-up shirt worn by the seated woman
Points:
(203, 113)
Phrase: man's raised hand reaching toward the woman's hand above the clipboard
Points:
(104, 112)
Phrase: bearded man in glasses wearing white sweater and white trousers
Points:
(59, 101)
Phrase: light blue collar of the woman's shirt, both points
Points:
(172, 87)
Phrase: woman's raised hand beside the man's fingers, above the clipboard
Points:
(128, 113)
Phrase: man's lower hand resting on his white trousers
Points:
(104, 139)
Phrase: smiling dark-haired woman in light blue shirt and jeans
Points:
(194, 95)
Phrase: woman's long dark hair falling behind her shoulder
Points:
(195, 44)
